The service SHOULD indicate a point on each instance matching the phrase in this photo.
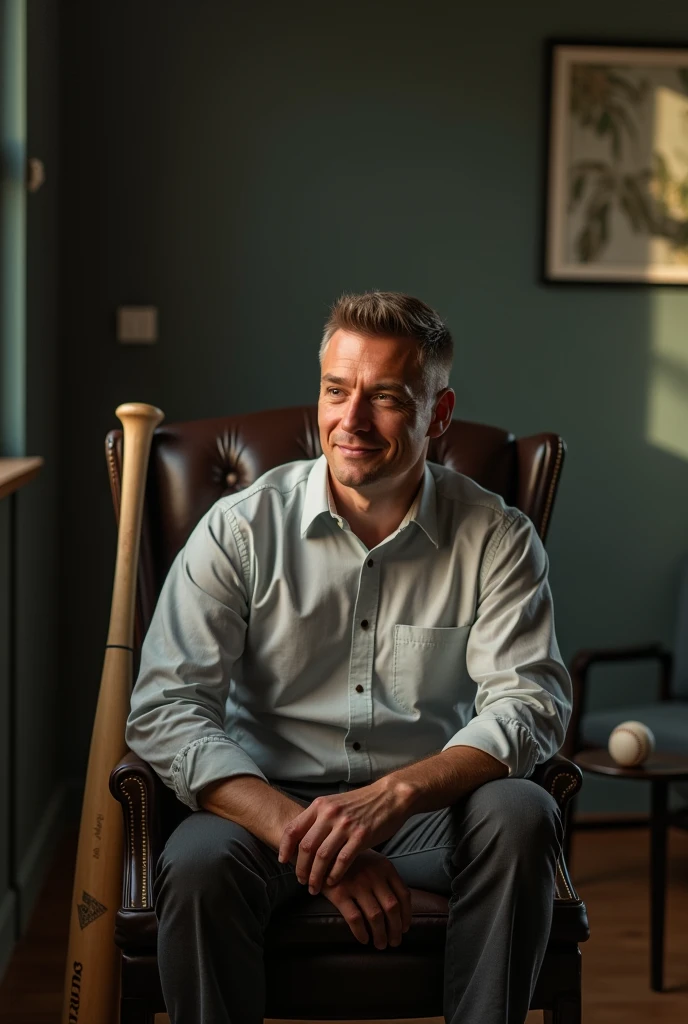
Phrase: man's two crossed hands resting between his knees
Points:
(334, 837)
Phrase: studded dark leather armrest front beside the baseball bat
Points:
(136, 786)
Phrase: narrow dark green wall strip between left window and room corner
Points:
(41, 744)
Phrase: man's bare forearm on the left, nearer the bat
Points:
(252, 803)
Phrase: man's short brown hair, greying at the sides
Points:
(393, 315)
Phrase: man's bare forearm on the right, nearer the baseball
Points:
(443, 779)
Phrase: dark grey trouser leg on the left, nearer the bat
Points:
(216, 889)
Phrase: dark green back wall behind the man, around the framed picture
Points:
(241, 165)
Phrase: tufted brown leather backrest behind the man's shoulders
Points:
(194, 464)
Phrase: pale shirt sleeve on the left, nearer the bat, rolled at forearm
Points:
(197, 634)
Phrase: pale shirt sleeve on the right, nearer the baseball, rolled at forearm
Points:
(524, 699)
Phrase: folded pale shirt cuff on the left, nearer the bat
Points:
(208, 760)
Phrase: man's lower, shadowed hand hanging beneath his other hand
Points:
(373, 891)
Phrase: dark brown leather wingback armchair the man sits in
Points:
(316, 969)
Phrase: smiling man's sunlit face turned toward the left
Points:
(373, 413)
